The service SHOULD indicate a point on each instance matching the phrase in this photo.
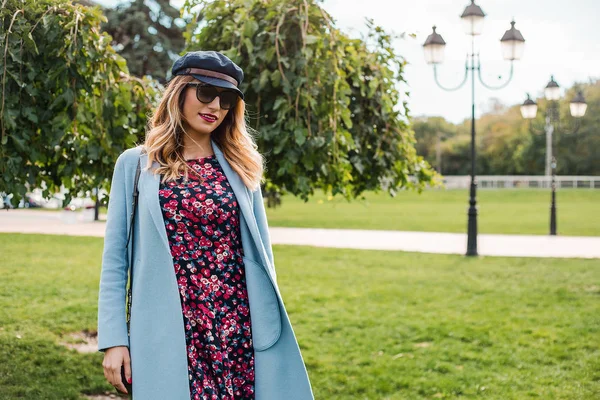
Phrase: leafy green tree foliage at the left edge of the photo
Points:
(68, 105)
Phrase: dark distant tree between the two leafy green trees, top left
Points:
(148, 37)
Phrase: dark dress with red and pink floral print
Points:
(203, 227)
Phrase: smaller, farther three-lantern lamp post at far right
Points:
(577, 107)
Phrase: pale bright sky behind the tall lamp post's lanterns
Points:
(561, 39)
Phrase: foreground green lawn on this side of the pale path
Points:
(371, 324)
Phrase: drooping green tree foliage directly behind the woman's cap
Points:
(325, 104)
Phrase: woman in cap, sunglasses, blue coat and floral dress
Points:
(207, 318)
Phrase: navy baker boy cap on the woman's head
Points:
(210, 67)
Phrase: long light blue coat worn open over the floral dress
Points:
(157, 338)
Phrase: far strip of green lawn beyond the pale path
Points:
(508, 211)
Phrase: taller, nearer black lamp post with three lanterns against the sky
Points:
(512, 49)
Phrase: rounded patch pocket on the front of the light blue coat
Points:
(265, 314)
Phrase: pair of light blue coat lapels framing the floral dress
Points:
(149, 185)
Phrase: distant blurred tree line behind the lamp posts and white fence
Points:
(509, 145)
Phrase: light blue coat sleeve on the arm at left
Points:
(112, 324)
